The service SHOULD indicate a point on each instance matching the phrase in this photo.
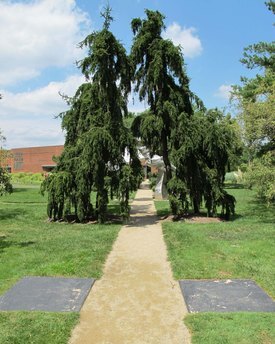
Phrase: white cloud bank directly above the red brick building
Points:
(27, 118)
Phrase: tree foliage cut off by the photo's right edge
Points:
(256, 101)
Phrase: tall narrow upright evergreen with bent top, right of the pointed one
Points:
(161, 81)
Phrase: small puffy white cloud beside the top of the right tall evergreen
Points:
(186, 38)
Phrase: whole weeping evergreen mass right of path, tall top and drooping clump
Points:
(198, 146)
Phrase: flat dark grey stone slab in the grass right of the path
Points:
(225, 296)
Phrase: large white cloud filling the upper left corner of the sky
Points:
(39, 34)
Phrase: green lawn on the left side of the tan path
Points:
(31, 246)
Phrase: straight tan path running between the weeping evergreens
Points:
(136, 301)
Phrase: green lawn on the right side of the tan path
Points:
(241, 248)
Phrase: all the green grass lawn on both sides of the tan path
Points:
(242, 248)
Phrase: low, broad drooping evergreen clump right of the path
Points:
(202, 147)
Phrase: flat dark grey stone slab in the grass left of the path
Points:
(52, 294)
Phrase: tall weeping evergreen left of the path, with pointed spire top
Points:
(96, 138)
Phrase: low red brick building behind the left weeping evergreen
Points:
(33, 159)
